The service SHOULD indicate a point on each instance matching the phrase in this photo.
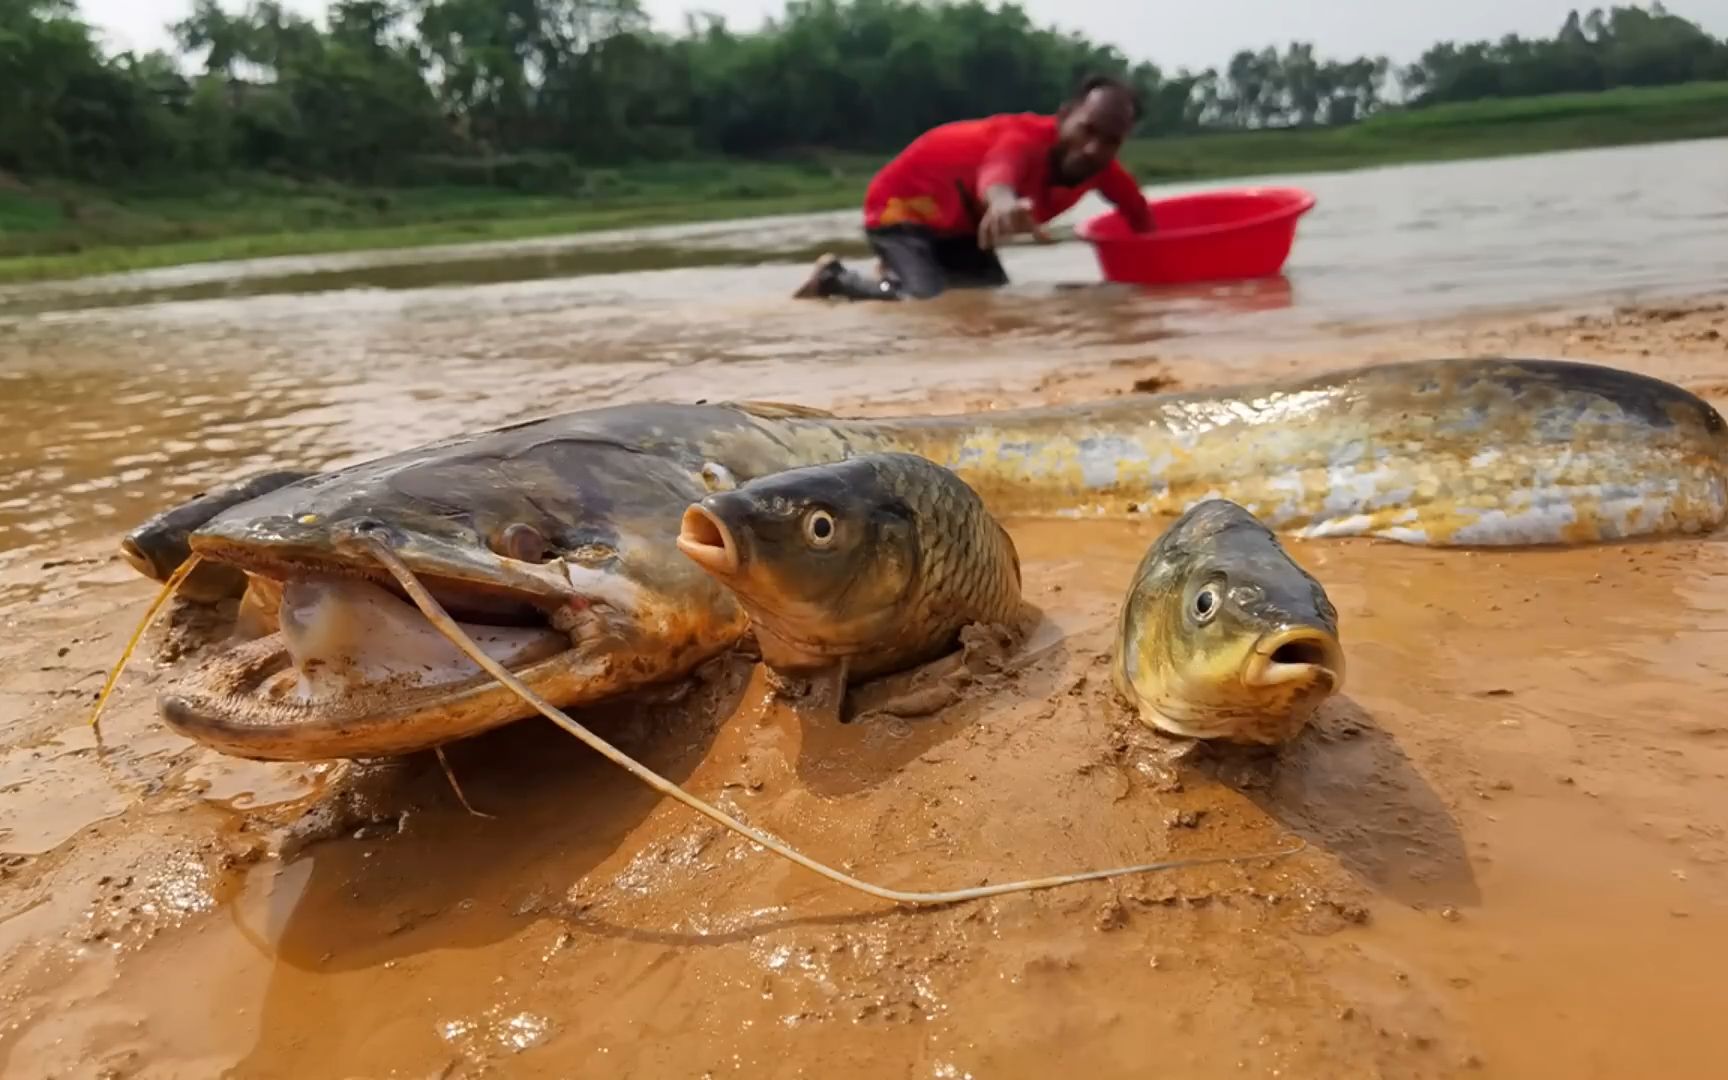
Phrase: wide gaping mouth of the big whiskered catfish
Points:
(343, 664)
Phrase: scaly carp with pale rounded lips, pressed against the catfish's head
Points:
(870, 566)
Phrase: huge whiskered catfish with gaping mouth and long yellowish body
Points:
(571, 523)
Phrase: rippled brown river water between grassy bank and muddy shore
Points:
(125, 395)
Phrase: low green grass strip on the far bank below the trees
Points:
(54, 231)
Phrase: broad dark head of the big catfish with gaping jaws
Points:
(554, 554)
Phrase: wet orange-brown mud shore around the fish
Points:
(1518, 829)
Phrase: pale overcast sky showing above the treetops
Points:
(1174, 34)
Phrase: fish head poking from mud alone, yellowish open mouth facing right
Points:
(1223, 635)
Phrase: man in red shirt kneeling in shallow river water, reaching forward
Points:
(936, 213)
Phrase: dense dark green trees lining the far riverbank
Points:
(518, 91)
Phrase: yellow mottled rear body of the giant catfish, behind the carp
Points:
(1437, 454)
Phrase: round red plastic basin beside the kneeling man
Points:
(1207, 238)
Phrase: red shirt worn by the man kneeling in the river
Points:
(941, 179)
